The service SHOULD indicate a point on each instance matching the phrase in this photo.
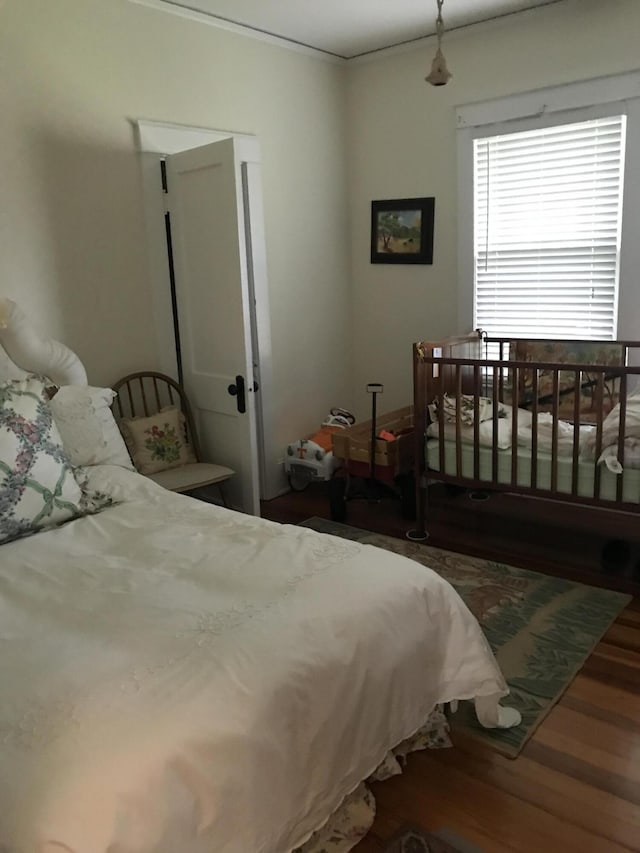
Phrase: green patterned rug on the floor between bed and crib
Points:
(541, 628)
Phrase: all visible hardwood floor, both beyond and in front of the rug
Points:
(576, 784)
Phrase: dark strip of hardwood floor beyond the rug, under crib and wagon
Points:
(517, 530)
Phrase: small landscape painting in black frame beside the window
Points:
(402, 231)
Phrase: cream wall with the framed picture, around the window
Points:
(402, 143)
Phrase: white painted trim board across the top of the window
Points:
(570, 96)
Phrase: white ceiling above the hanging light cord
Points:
(349, 28)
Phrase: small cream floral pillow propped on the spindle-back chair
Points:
(157, 442)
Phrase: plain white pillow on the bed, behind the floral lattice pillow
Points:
(89, 431)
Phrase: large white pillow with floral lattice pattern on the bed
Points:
(38, 488)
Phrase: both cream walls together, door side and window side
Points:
(72, 238)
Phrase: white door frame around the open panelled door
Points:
(154, 141)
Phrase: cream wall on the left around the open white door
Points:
(74, 74)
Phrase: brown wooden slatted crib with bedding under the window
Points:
(558, 420)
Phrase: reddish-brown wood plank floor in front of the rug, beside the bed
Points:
(574, 787)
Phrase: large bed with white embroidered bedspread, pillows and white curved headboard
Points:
(177, 676)
